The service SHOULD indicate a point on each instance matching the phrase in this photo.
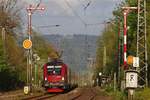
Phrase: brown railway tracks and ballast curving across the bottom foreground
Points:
(87, 93)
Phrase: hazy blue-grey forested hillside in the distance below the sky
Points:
(76, 49)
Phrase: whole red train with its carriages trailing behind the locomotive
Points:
(57, 77)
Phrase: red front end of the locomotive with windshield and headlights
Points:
(55, 76)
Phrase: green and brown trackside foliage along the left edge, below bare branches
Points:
(11, 64)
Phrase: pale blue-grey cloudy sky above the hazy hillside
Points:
(73, 16)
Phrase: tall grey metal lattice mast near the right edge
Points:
(141, 42)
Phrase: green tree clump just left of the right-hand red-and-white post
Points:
(109, 40)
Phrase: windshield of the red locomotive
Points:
(54, 70)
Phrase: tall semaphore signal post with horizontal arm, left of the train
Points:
(30, 11)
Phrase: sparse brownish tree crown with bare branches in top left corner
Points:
(10, 15)
